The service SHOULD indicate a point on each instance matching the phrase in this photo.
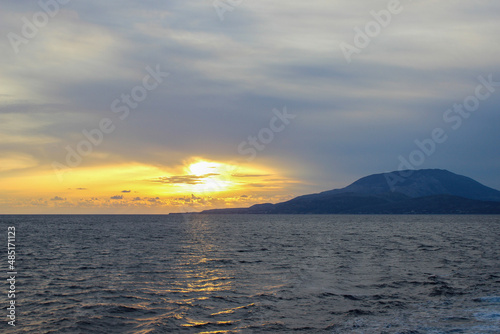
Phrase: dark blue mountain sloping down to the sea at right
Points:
(426, 191)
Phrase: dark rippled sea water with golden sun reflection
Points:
(255, 274)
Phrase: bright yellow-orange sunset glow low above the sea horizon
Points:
(194, 185)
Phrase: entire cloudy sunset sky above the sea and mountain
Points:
(175, 106)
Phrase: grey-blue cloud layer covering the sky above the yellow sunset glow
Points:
(226, 77)
